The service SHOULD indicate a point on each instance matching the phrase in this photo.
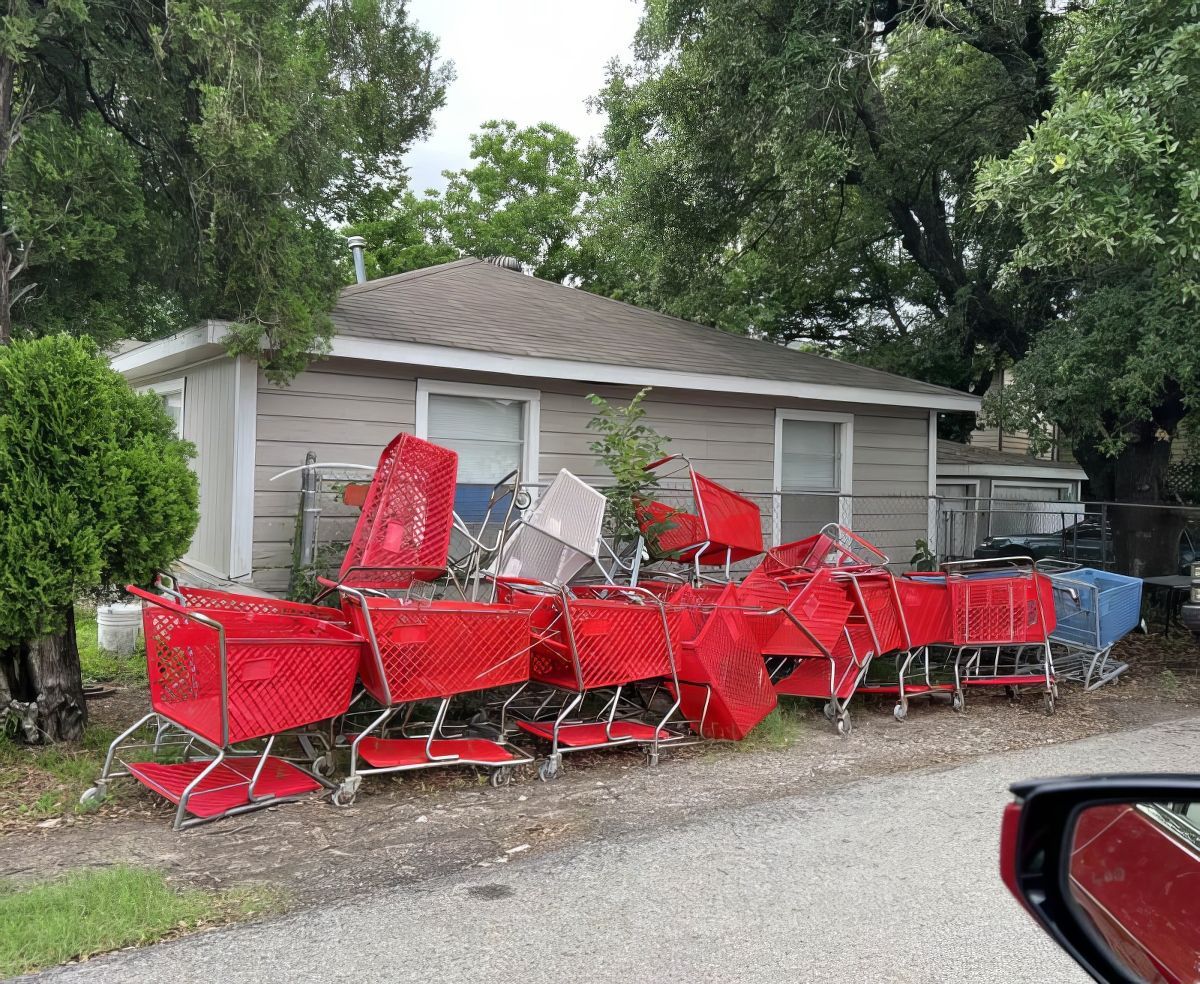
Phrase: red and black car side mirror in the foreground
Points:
(1111, 868)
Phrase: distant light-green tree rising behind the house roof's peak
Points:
(523, 197)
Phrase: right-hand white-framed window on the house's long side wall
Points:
(813, 472)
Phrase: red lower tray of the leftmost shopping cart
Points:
(227, 787)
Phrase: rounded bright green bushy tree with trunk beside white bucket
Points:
(95, 491)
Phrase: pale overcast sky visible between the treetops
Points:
(526, 61)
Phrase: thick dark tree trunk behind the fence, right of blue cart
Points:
(1145, 538)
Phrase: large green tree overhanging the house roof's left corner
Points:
(164, 163)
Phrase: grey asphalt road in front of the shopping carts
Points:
(885, 880)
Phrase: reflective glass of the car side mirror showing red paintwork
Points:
(1135, 880)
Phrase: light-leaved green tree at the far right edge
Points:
(1107, 193)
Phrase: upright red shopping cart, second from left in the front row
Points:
(427, 653)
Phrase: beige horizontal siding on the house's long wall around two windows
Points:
(347, 411)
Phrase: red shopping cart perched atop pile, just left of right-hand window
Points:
(722, 530)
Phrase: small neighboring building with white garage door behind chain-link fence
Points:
(992, 494)
